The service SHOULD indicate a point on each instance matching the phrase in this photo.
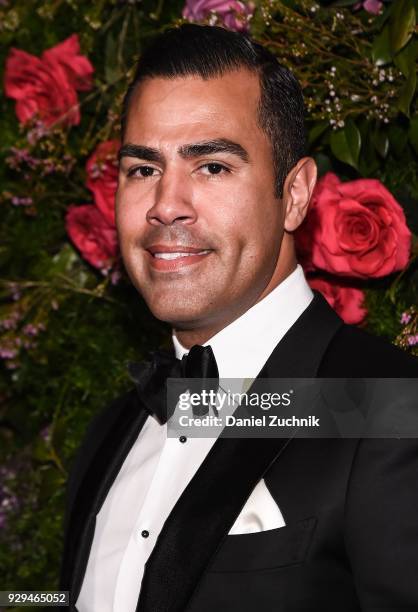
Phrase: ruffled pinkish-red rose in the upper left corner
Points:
(47, 87)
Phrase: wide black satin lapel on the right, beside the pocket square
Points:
(208, 507)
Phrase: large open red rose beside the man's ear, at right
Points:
(353, 229)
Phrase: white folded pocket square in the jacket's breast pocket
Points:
(260, 513)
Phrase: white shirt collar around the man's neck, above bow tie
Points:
(242, 348)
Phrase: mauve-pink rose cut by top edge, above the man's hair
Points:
(234, 14)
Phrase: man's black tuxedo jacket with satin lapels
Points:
(350, 505)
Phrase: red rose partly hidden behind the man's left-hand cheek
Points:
(102, 173)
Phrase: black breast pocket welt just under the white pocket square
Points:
(265, 550)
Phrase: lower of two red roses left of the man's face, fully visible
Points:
(92, 235)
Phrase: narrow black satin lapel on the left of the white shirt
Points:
(94, 487)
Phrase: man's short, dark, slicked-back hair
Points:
(211, 51)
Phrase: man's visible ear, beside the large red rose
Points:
(297, 192)
